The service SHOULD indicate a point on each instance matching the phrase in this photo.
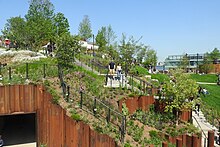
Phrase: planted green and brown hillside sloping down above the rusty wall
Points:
(85, 98)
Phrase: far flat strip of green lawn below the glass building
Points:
(209, 78)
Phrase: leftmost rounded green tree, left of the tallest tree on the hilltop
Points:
(15, 30)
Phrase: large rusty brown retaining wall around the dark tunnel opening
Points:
(54, 127)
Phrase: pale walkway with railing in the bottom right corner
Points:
(200, 122)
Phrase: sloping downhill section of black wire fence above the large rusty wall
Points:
(94, 105)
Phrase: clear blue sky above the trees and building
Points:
(171, 27)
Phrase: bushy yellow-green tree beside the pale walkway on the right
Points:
(180, 92)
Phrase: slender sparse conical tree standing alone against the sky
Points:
(85, 31)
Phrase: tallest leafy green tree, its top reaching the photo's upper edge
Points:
(39, 22)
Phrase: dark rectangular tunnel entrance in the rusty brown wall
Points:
(18, 129)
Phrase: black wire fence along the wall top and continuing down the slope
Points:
(36, 71)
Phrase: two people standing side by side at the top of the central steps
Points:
(113, 68)
